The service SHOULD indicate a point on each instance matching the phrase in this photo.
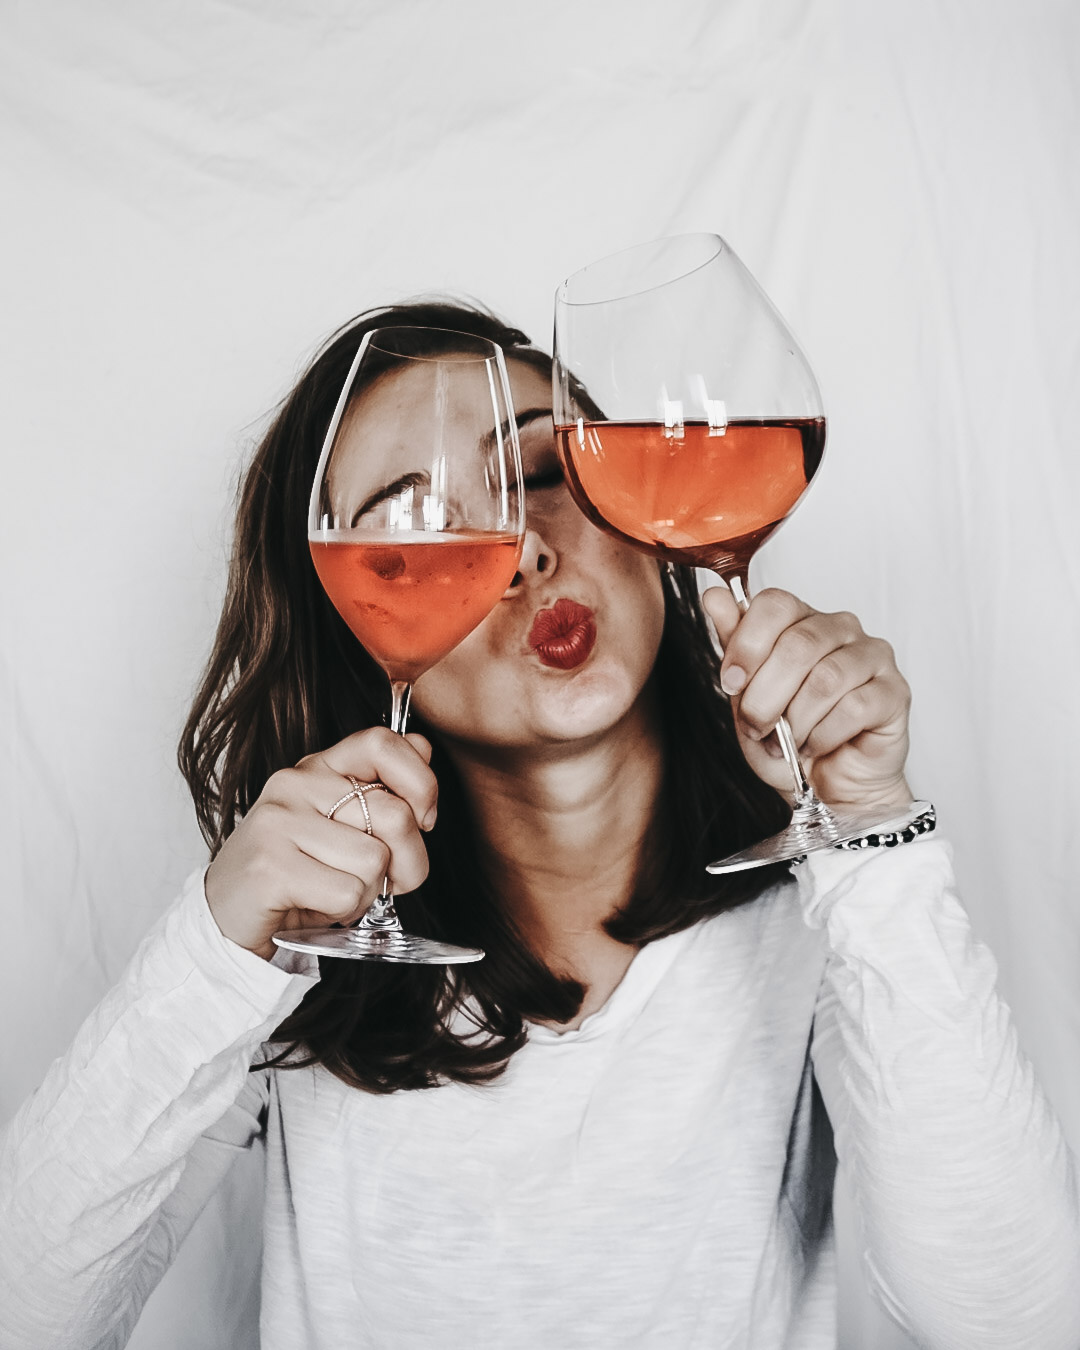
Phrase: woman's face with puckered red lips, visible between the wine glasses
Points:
(568, 651)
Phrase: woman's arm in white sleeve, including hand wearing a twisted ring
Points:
(109, 1164)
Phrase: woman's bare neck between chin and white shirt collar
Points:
(566, 830)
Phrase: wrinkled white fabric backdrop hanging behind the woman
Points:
(196, 194)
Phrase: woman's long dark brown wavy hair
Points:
(287, 678)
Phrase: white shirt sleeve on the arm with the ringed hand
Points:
(109, 1164)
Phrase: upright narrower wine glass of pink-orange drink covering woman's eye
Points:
(416, 524)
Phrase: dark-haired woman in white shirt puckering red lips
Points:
(628, 1135)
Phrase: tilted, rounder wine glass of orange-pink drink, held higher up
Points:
(691, 426)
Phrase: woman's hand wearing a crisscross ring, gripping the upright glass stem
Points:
(288, 867)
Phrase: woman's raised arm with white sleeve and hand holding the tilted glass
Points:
(962, 1177)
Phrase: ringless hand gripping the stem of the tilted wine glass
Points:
(844, 699)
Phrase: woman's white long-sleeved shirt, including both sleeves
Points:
(658, 1178)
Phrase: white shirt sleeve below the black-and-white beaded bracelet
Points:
(963, 1182)
